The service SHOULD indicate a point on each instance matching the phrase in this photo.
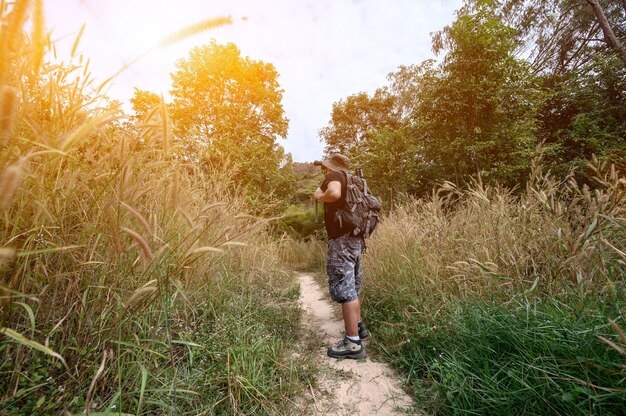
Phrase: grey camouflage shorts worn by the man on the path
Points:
(344, 267)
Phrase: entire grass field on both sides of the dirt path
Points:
(135, 281)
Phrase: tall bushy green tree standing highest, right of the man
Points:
(477, 112)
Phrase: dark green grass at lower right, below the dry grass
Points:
(527, 357)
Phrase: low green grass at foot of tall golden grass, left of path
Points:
(231, 355)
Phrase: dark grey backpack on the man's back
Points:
(362, 209)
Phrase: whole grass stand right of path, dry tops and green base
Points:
(496, 303)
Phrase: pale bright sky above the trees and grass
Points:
(323, 50)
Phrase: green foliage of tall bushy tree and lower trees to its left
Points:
(473, 114)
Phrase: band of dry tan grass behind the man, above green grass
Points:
(485, 240)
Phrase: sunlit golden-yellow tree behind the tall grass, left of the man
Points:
(229, 108)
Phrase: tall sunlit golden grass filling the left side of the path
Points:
(130, 280)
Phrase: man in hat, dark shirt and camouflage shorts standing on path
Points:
(343, 259)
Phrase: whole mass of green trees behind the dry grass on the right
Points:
(513, 74)
